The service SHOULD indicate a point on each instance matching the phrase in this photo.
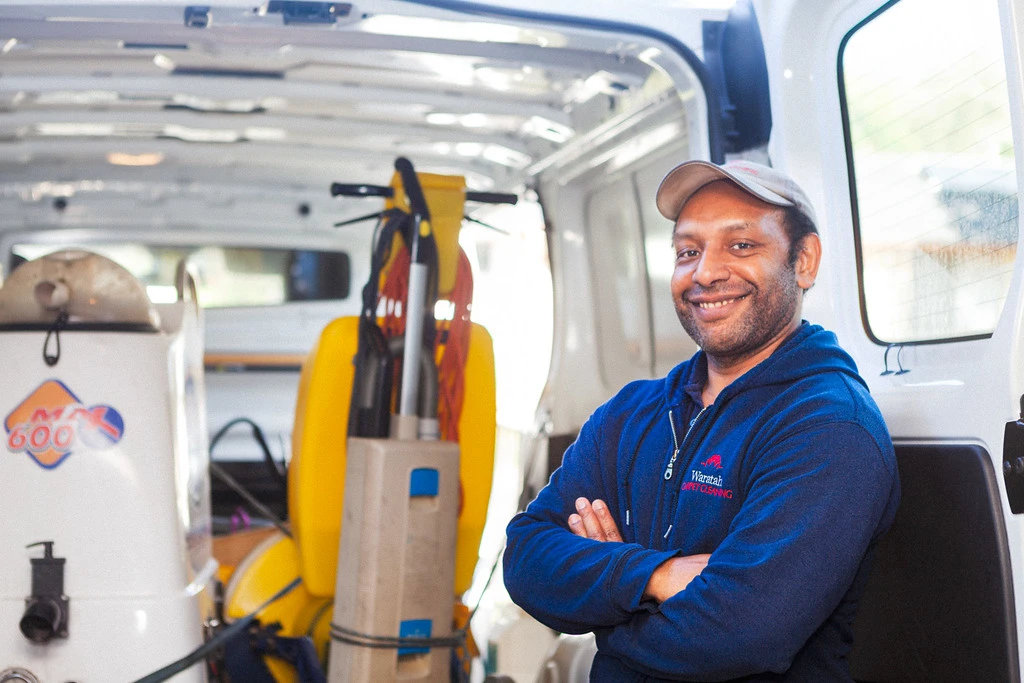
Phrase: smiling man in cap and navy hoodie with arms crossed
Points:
(719, 524)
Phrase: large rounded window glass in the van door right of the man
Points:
(932, 173)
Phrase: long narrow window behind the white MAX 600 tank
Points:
(225, 276)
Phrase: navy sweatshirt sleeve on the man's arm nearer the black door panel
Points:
(815, 506)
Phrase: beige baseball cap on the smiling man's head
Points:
(763, 183)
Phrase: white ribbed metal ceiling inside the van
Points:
(161, 116)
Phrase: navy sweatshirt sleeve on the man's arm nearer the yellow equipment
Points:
(571, 584)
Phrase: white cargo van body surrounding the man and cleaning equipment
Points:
(152, 130)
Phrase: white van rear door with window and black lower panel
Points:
(903, 119)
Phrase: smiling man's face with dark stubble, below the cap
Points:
(735, 291)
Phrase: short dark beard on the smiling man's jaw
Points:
(769, 314)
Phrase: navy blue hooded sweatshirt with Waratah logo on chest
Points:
(789, 481)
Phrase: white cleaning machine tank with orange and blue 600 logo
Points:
(104, 474)
